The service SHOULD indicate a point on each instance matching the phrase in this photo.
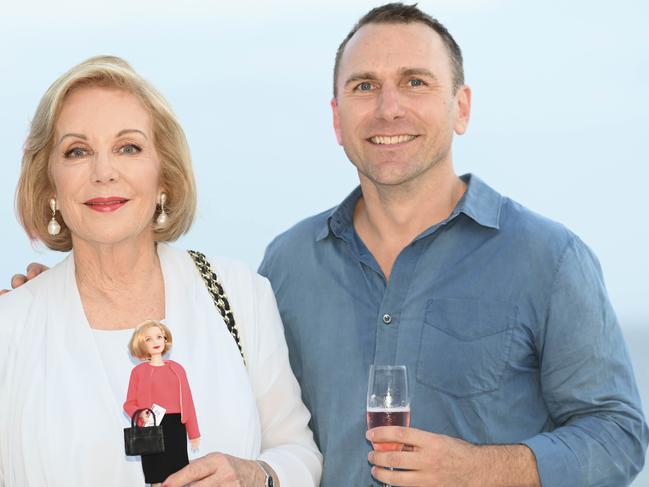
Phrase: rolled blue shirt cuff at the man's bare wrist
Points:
(557, 465)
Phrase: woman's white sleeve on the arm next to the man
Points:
(287, 442)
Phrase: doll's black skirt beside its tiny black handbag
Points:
(159, 466)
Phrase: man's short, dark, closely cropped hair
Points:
(398, 13)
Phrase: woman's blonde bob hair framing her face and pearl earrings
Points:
(35, 186)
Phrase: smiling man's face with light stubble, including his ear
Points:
(395, 112)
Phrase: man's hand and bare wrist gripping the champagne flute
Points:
(435, 460)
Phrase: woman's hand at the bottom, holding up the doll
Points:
(218, 470)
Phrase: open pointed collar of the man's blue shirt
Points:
(480, 202)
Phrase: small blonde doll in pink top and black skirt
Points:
(164, 383)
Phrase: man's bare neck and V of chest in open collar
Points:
(388, 218)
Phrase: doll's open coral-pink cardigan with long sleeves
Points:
(139, 395)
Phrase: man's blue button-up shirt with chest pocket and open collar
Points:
(502, 318)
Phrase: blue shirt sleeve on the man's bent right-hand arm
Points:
(588, 384)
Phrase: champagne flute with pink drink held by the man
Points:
(388, 403)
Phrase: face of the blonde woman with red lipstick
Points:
(105, 168)
